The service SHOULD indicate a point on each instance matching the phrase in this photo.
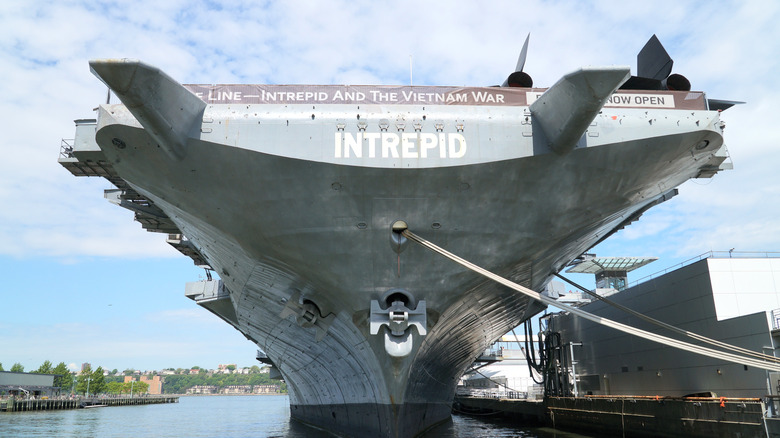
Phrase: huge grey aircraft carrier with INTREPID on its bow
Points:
(296, 197)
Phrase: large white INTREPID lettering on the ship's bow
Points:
(401, 145)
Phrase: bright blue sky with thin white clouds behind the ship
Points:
(84, 282)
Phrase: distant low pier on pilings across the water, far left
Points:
(28, 404)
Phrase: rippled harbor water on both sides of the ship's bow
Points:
(218, 416)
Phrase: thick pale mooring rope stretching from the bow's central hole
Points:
(704, 351)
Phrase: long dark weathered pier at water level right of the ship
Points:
(634, 416)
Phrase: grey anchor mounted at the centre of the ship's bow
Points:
(398, 318)
